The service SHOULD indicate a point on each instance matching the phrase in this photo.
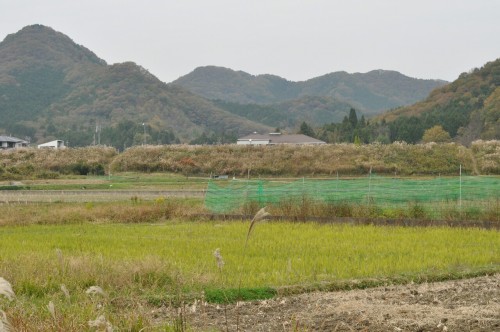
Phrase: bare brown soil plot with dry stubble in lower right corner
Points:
(459, 305)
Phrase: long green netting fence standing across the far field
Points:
(228, 196)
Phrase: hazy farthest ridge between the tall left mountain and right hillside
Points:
(371, 92)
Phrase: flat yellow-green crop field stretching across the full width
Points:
(278, 254)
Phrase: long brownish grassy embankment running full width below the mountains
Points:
(243, 161)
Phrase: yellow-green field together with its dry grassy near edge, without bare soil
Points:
(144, 268)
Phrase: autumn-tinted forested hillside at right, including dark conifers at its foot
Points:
(463, 111)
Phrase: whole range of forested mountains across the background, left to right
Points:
(52, 88)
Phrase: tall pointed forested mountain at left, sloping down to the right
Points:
(51, 87)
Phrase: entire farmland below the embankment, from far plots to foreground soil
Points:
(148, 242)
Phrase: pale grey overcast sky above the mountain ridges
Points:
(294, 39)
